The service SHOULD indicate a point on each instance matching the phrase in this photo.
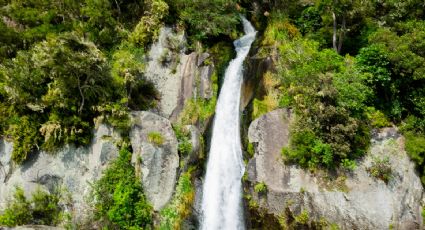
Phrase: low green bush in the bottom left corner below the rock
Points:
(43, 208)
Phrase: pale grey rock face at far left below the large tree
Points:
(70, 168)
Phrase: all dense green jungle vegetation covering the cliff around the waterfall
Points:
(344, 67)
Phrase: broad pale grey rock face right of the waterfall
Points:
(360, 202)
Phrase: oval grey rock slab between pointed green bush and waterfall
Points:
(157, 162)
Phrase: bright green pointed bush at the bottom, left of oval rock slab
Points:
(118, 198)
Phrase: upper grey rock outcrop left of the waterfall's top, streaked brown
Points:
(176, 75)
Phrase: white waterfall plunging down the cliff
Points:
(221, 200)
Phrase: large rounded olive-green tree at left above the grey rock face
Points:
(53, 88)
